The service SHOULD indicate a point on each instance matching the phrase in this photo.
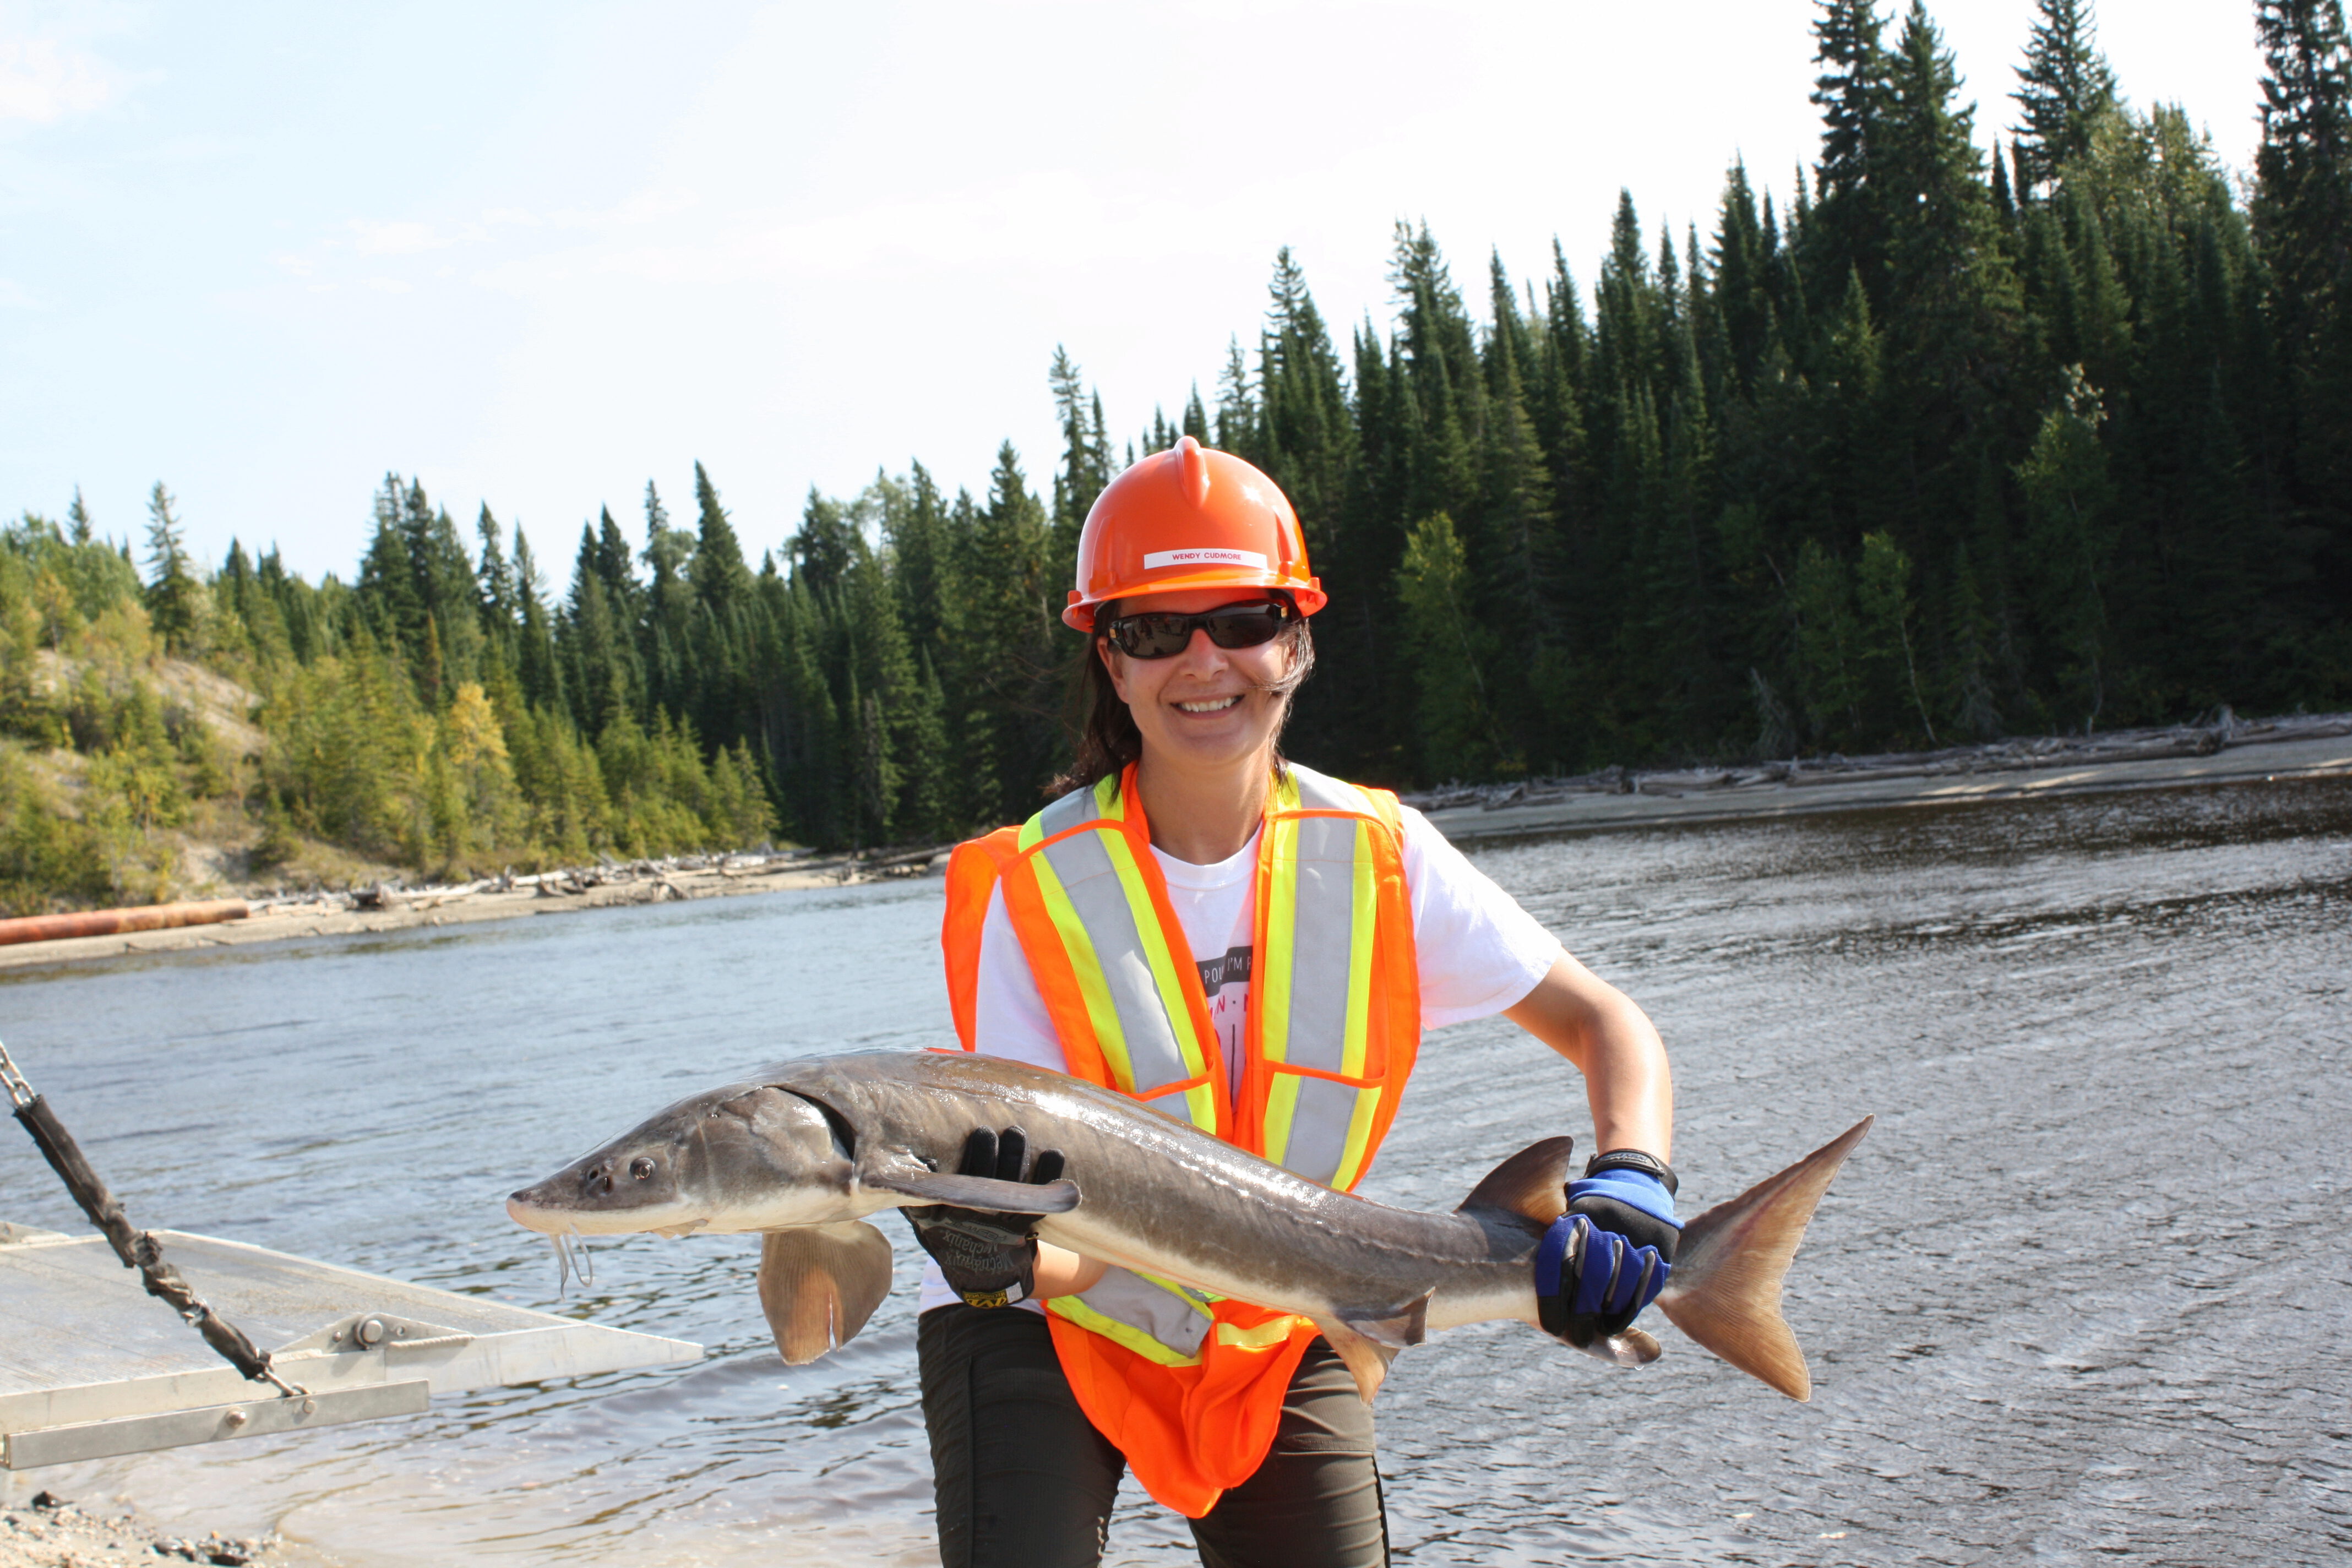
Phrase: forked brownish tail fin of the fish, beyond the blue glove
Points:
(1725, 1289)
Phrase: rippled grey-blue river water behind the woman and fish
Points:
(2083, 1296)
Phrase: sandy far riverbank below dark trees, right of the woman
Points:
(2231, 751)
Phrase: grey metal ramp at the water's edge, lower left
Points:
(93, 1367)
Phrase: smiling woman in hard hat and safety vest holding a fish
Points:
(1255, 949)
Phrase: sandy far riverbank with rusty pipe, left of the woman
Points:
(401, 909)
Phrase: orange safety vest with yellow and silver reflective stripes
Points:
(1184, 1383)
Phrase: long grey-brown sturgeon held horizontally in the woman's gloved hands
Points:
(808, 1151)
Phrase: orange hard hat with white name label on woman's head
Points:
(1191, 518)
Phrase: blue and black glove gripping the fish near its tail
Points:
(1612, 1252)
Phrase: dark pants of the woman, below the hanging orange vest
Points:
(1027, 1482)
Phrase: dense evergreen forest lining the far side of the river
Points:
(1930, 443)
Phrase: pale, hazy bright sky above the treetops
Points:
(537, 255)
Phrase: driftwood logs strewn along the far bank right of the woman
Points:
(2205, 739)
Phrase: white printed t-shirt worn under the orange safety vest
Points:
(1478, 956)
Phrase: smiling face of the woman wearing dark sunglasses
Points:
(1203, 709)
